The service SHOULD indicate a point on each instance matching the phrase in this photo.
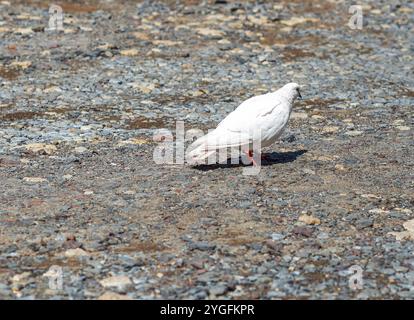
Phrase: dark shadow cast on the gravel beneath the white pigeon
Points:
(271, 158)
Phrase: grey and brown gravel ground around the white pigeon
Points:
(82, 201)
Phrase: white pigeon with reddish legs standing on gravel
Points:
(258, 121)
